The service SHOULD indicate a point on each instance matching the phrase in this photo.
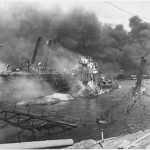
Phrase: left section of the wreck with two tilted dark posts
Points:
(40, 72)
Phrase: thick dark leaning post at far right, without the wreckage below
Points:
(139, 77)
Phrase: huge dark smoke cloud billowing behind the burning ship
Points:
(112, 48)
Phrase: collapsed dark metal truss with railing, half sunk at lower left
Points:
(34, 119)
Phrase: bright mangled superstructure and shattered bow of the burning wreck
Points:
(89, 81)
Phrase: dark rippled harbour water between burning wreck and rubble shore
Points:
(89, 109)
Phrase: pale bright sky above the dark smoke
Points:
(105, 12)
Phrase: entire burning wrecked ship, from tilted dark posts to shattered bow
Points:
(83, 80)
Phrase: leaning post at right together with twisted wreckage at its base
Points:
(133, 97)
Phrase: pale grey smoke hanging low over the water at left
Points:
(23, 89)
